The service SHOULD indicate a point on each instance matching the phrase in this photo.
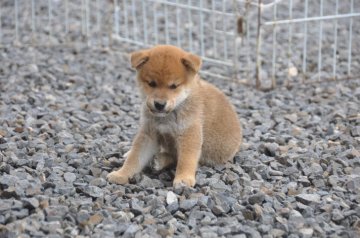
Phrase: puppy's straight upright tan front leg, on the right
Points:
(189, 151)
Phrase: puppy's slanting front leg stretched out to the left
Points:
(142, 150)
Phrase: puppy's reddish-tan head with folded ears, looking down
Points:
(165, 76)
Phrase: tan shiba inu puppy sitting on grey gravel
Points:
(184, 119)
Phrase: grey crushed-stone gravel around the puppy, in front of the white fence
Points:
(67, 117)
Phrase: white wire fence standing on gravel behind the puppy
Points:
(264, 43)
